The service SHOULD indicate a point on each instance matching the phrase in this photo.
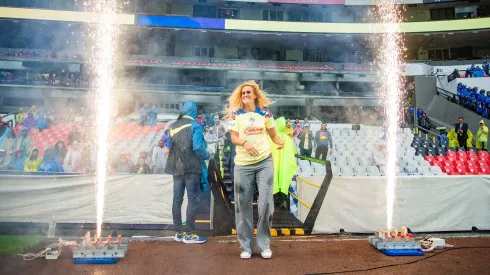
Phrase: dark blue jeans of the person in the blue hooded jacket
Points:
(191, 182)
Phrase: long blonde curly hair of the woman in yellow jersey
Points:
(235, 100)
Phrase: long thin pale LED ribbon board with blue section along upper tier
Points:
(175, 21)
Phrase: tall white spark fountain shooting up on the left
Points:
(104, 34)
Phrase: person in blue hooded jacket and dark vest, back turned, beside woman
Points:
(186, 164)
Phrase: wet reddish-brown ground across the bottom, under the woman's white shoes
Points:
(292, 255)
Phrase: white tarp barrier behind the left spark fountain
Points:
(129, 199)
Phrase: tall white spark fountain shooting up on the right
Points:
(389, 59)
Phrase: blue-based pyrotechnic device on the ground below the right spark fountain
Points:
(394, 243)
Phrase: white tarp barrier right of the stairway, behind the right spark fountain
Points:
(357, 204)
